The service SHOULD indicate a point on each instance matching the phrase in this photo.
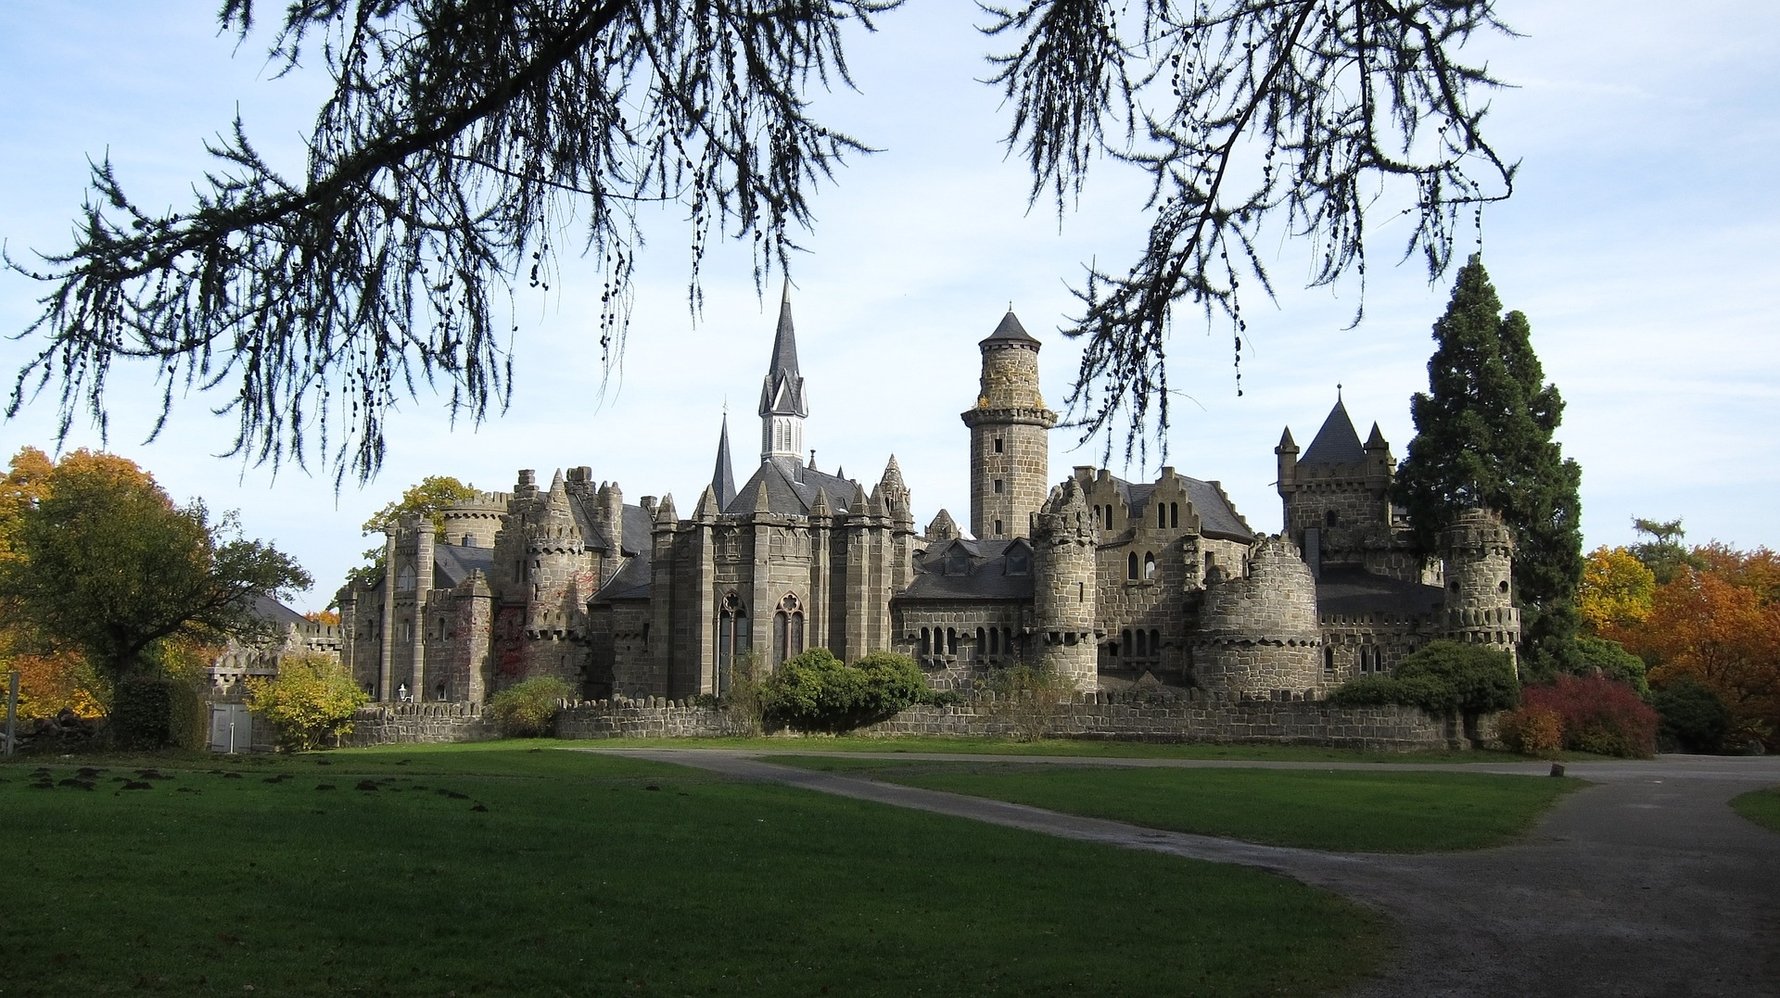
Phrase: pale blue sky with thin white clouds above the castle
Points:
(1642, 243)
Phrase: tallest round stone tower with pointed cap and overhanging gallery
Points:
(1010, 444)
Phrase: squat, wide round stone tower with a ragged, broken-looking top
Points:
(1259, 632)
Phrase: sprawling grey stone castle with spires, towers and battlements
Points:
(1104, 581)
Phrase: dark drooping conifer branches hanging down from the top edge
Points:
(462, 134)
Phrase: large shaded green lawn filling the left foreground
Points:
(510, 871)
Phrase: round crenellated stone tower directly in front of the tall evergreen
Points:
(1480, 563)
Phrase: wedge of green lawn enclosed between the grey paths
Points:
(1334, 810)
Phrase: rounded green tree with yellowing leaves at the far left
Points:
(109, 568)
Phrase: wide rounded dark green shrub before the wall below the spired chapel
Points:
(820, 693)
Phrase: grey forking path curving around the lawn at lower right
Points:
(1642, 885)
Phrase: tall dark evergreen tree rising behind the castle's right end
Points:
(1484, 437)
